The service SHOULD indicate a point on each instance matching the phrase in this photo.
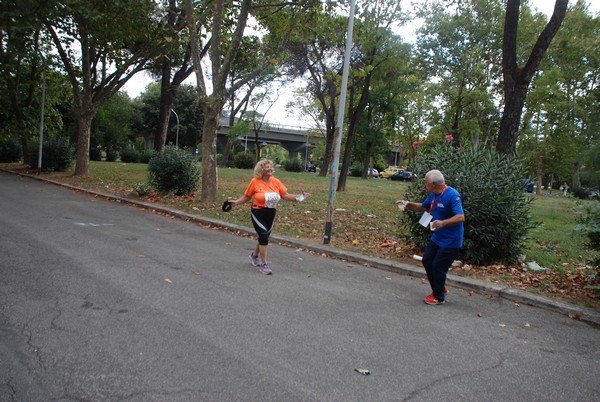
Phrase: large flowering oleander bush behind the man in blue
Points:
(496, 209)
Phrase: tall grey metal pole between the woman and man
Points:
(338, 145)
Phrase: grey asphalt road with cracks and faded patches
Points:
(101, 301)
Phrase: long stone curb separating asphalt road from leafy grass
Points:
(583, 314)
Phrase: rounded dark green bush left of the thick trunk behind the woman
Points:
(174, 171)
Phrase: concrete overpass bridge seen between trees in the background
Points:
(293, 139)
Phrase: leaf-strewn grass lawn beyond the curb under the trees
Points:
(367, 221)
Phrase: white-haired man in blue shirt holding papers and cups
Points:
(444, 212)
